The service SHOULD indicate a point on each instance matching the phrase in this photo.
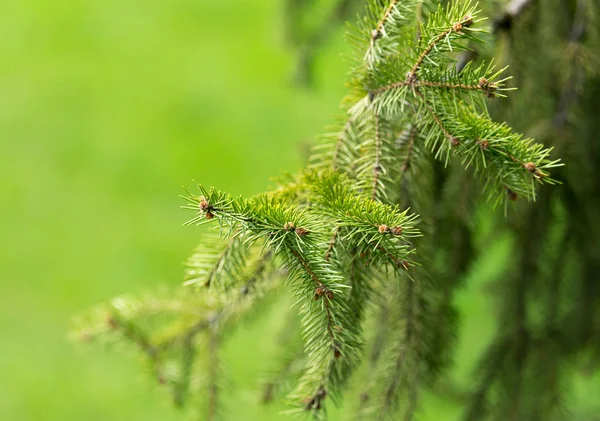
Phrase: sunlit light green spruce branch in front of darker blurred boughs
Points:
(342, 235)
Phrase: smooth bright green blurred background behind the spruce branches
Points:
(108, 108)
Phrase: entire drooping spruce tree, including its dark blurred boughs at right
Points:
(372, 239)
